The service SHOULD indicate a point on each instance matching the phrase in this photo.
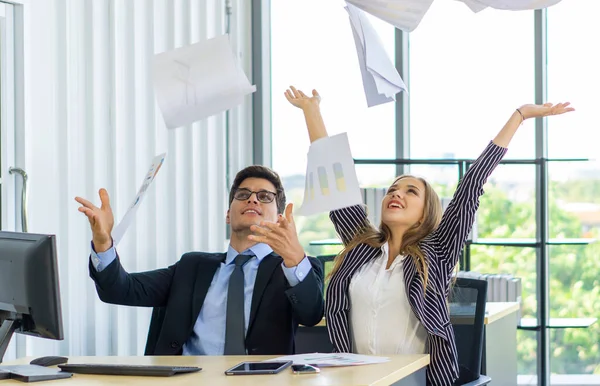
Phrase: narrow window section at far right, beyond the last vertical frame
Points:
(574, 186)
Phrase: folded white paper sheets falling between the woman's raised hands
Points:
(381, 80)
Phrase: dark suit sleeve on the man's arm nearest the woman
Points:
(306, 297)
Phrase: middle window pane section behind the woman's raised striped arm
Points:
(468, 72)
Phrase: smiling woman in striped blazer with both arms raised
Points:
(389, 286)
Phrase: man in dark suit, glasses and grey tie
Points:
(247, 300)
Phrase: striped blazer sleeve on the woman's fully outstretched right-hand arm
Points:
(459, 216)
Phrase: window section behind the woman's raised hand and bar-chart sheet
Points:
(312, 47)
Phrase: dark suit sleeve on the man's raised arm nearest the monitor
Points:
(144, 289)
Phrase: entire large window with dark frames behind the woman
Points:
(467, 74)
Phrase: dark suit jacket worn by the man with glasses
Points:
(177, 294)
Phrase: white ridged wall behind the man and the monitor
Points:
(91, 121)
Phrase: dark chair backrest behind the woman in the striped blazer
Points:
(467, 314)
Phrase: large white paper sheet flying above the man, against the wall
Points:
(197, 81)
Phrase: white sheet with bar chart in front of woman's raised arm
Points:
(331, 181)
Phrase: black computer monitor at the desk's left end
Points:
(29, 289)
